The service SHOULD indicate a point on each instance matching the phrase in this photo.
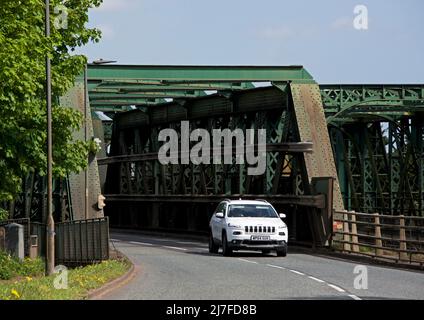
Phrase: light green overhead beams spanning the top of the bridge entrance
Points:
(120, 86)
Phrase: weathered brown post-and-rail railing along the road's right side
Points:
(398, 239)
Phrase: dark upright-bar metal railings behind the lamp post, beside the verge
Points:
(77, 242)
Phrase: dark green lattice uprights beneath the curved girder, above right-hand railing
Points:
(380, 166)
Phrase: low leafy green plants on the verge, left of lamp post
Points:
(11, 267)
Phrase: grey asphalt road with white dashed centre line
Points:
(178, 269)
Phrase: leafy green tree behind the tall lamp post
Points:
(23, 48)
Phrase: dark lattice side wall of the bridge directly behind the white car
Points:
(137, 182)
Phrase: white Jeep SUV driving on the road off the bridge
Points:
(247, 225)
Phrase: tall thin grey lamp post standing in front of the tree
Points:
(50, 222)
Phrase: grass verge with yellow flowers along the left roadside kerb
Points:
(79, 282)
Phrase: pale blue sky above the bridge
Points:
(316, 34)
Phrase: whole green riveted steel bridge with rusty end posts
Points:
(361, 146)
